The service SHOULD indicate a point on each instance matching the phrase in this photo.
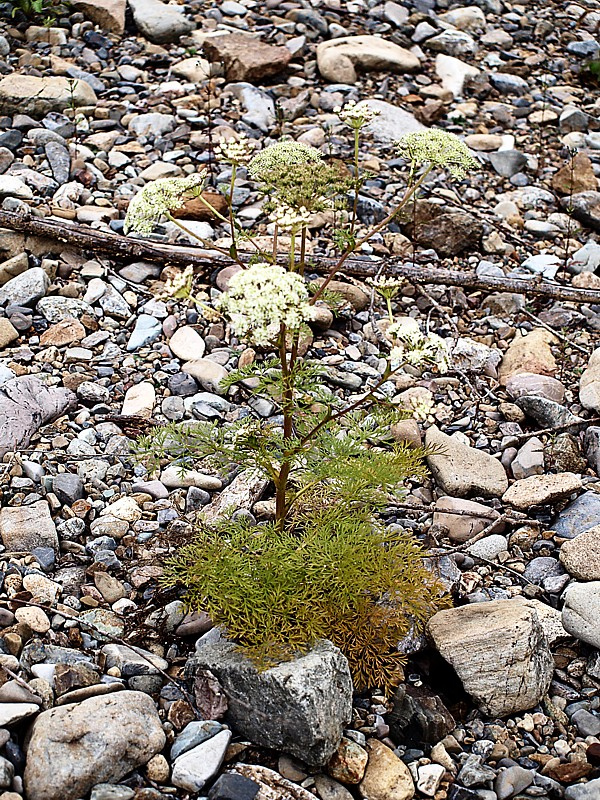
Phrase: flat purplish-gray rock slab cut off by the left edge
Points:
(25, 405)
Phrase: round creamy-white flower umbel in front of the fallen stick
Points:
(262, 298)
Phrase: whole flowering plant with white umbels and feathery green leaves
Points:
(329, 459)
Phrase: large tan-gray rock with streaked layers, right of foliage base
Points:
(499, 651)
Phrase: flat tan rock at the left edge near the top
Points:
(26, 94)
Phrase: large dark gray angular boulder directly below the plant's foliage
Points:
(300, 706)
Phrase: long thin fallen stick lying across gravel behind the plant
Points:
(121, 247)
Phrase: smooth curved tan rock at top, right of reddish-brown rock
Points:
(340, 59)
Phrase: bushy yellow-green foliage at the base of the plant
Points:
(330, 574)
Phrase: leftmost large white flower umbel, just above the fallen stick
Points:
(158, 198)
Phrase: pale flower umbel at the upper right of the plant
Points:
(439, 149)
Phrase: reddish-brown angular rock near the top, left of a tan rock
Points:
(246, 58)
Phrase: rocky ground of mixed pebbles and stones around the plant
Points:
(501, 698)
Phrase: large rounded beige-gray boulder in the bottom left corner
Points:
(76, 746)
